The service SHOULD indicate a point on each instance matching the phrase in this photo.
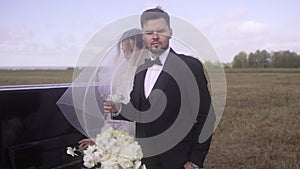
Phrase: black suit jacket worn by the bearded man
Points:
(183, 102)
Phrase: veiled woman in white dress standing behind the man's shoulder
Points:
(130, 47)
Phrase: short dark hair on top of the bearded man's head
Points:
(154, 13)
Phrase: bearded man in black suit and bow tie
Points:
(164, 100)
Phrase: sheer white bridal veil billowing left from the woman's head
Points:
(109, 74)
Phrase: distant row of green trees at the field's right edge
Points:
(262, 58)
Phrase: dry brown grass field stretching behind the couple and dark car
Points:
(260, 127)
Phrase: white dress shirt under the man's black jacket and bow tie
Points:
(153, 72)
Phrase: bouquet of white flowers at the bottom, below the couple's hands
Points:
(113, 149)
